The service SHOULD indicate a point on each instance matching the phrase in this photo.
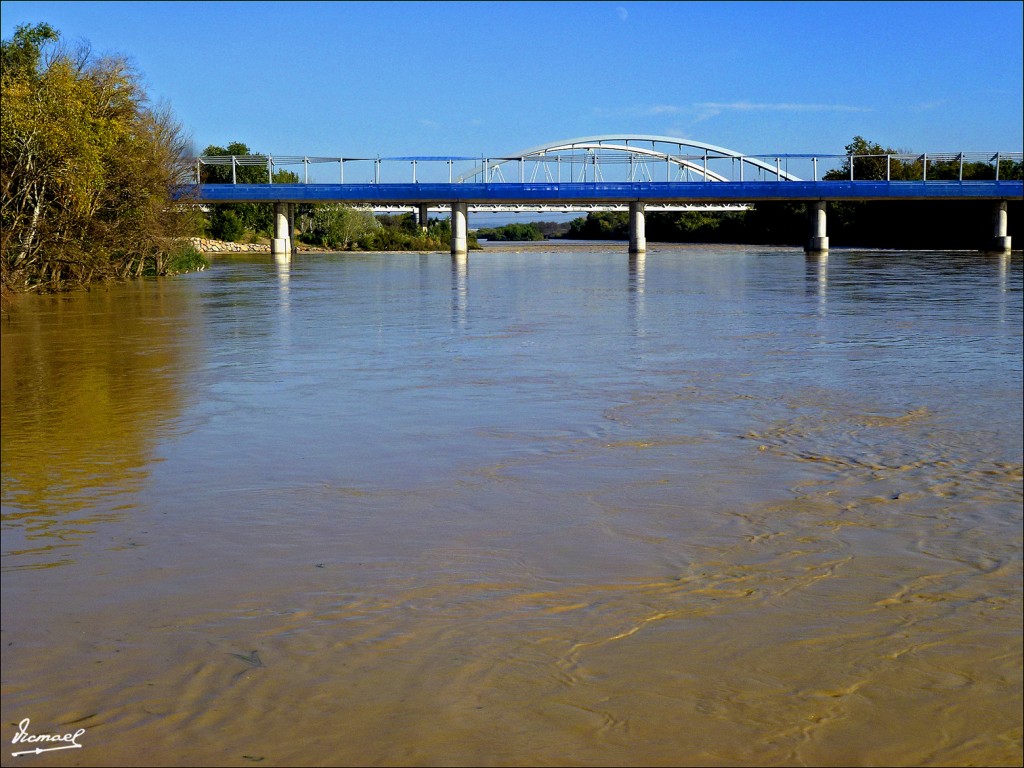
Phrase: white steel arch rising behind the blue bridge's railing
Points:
(595, 152)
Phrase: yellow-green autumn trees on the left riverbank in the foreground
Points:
(89, 168)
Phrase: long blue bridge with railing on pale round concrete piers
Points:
(642, 174)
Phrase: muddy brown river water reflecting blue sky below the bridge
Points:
(715, 506)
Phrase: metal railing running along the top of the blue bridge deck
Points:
(611, 166)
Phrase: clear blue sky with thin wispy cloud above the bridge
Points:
(473, 78)
